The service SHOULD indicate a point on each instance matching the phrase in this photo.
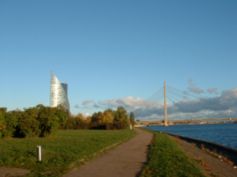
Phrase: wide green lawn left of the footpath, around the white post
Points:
(61, 151)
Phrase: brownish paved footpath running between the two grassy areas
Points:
(126, 160)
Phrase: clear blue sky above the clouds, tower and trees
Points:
(112, 49)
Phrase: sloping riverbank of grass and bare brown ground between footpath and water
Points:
(170, 156)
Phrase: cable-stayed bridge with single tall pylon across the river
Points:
(177, 106)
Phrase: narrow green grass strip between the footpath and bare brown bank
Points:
(166, 159)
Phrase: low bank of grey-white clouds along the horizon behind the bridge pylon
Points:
(219, 106)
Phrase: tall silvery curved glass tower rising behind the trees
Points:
(58, 93)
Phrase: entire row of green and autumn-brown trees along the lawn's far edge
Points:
(41, 121)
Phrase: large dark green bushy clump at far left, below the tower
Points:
(36, 121)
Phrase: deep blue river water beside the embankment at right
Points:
(223, 134)
